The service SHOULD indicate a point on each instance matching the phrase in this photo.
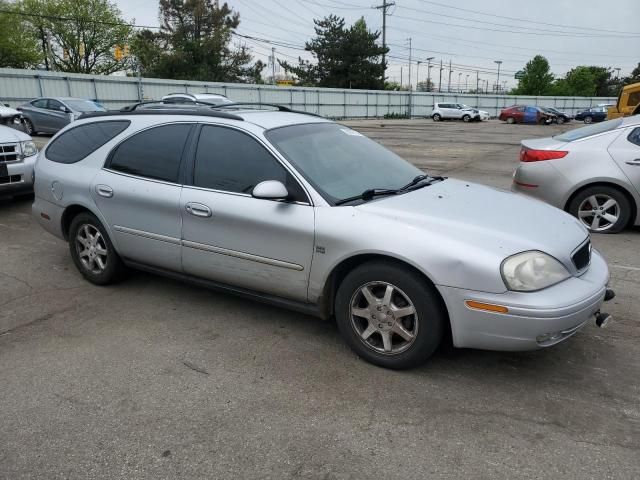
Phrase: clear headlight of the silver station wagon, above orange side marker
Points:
(530, 271)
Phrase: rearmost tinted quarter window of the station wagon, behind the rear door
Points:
(78, 142)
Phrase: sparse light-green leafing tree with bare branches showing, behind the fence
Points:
(78, 36)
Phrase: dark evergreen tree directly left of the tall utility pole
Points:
(345, 57)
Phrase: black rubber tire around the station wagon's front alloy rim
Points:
(427, 323)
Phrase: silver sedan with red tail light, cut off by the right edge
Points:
(591, 172)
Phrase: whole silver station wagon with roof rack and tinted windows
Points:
(298, 211)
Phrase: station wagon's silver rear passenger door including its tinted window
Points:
(138, 193)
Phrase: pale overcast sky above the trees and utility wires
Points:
(471, 34)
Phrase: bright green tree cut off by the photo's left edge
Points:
(18, 47)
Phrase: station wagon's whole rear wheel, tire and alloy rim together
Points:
(92, 250)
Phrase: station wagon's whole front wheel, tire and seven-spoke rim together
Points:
(389, 315)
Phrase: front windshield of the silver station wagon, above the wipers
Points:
(339, 162)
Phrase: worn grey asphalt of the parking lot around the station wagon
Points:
(156, 379)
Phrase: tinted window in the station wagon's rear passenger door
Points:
(155, 153)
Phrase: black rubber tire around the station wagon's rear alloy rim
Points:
(113, 270)
